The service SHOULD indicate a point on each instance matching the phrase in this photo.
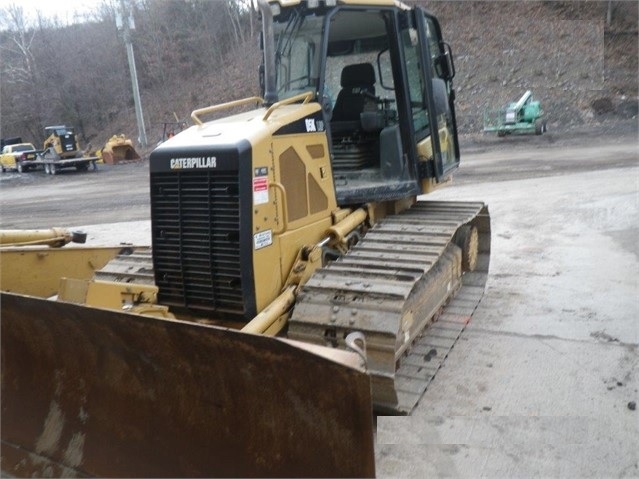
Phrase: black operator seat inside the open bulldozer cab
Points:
(356, 80)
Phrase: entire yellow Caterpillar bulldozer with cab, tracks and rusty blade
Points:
(296, 282)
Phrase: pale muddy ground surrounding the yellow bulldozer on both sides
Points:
(543, 381)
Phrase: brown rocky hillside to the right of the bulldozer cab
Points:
(582, 69)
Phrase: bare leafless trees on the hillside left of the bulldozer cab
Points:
(186, 56)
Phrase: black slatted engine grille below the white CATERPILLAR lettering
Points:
(196, 240)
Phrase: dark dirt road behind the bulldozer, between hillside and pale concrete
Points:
(121, 193)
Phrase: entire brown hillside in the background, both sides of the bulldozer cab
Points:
(579, 58)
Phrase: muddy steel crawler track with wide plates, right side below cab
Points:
(378, 276)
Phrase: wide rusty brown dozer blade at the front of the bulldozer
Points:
(92, 392)
